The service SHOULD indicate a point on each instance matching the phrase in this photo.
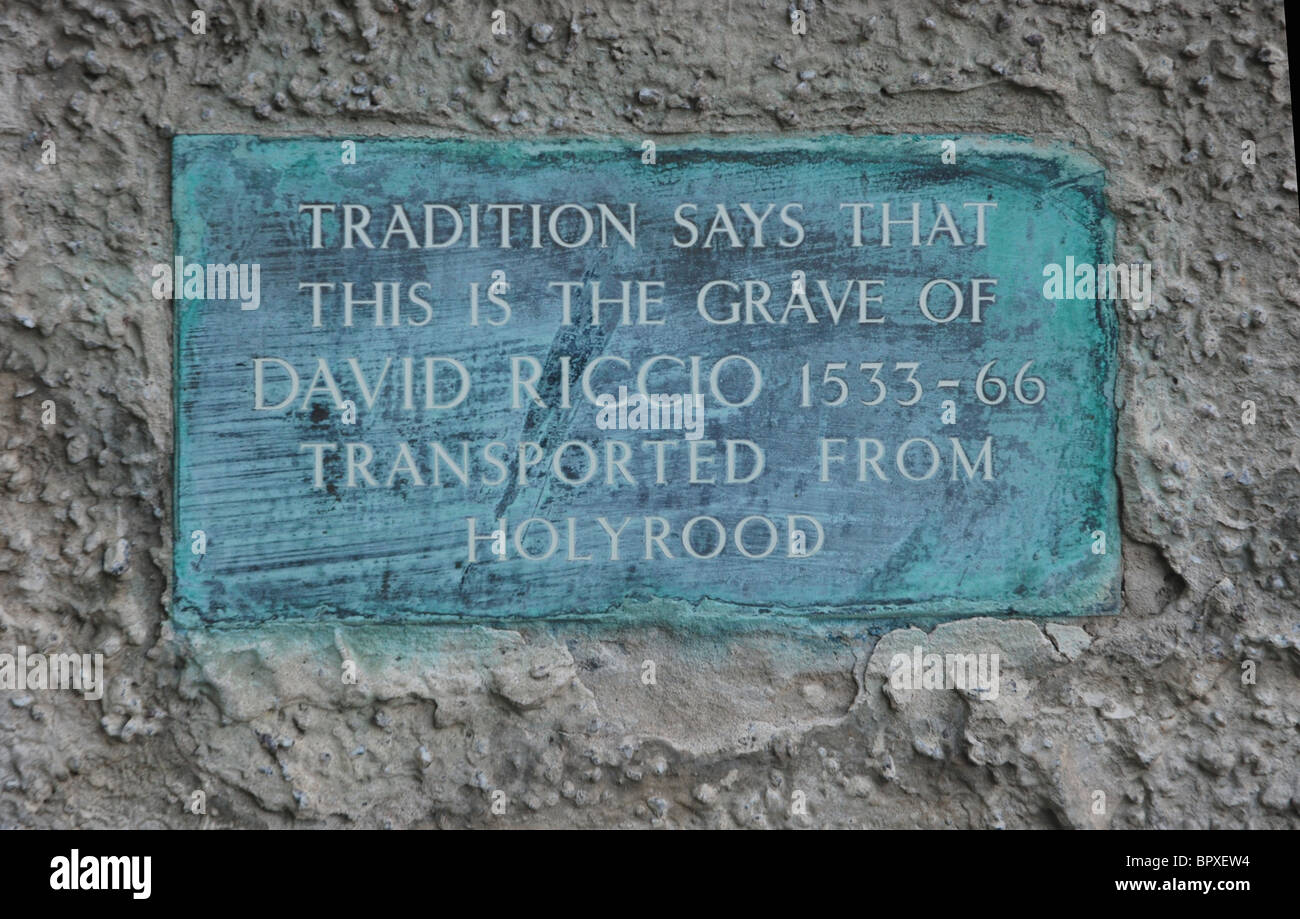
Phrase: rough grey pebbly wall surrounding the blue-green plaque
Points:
(1182, 712)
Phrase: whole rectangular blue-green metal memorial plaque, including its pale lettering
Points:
(850, 378)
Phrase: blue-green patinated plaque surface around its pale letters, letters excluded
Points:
(281, 550)
